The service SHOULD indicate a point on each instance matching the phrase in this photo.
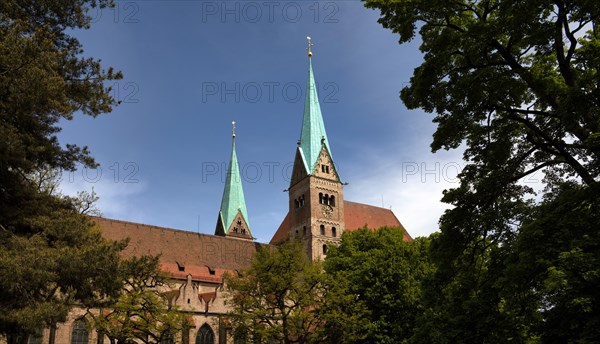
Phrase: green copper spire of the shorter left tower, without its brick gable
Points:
(233, 196)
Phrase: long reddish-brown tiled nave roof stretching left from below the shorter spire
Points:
(206, 257)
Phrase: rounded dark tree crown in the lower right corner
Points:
(553, 268)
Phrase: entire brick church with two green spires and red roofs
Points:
(318, 215)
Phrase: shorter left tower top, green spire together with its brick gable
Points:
(233, 216)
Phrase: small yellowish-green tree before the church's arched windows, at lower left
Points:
(141, 311)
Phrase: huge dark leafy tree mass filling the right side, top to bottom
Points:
(516, 84)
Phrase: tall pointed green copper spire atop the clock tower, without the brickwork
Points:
(313, 128)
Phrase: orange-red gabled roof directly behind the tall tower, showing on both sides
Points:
(356, 216)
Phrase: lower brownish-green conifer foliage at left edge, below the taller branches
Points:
(63, 260)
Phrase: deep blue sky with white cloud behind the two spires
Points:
(192, 67)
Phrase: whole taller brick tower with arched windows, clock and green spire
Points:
(316, 203)
